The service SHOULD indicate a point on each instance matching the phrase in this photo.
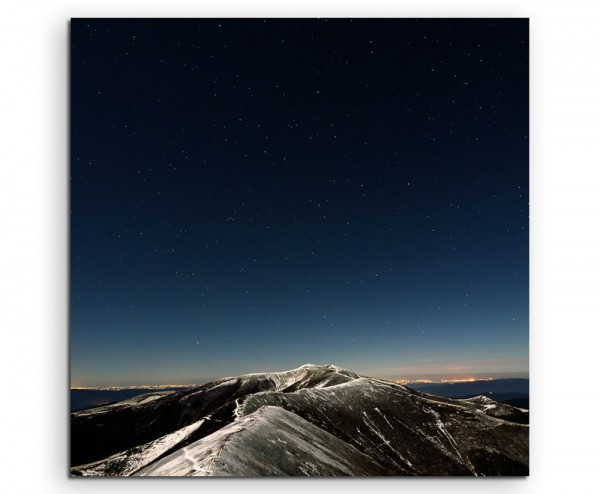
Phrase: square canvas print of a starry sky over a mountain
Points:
(299, 247)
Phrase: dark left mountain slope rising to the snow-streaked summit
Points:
(101, 432)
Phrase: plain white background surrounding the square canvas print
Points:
(565, 250)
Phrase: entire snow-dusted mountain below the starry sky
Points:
(315, 420)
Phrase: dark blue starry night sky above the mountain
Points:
(255, 194)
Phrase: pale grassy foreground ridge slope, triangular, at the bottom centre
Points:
(269, 441)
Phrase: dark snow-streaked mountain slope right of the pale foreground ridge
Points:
(409, 433)
